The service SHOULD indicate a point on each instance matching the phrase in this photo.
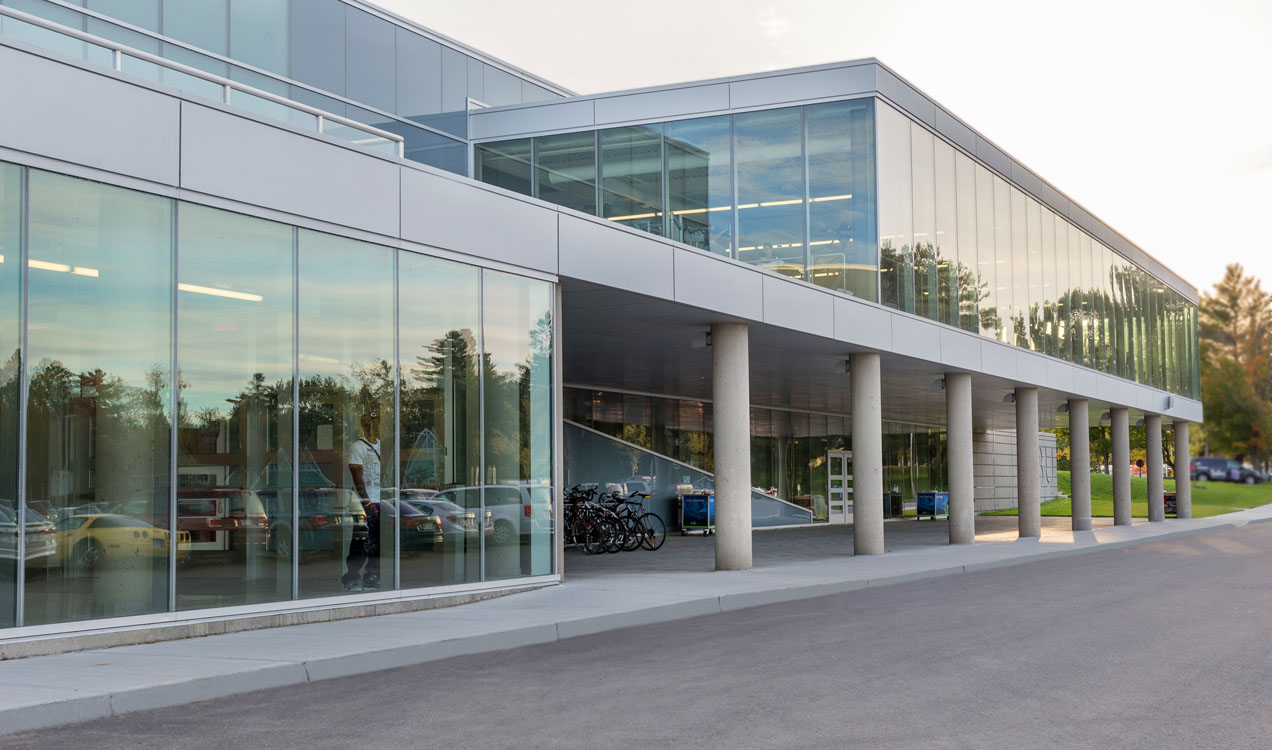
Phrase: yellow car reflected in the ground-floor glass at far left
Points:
(90, 541)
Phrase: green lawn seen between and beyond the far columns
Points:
(1210, 499)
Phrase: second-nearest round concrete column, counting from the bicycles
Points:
(867, 456)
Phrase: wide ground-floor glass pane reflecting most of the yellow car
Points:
(99, 400)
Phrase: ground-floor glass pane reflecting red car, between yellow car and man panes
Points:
(236, 316)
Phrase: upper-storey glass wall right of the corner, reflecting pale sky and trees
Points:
(962, 246)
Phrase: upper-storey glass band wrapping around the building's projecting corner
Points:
(799, 191)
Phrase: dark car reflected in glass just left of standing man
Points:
(331, 519)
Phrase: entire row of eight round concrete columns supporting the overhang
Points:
(732, 418)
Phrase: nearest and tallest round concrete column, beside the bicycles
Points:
(731, 396)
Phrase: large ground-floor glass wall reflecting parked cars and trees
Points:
(202, 409)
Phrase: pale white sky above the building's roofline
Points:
(1157, 116)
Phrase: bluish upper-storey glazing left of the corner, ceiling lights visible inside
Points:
(789, 190)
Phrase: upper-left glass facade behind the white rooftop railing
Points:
(326, 54)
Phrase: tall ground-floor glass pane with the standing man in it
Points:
(347, 414)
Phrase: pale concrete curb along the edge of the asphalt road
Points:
(95, 706)
